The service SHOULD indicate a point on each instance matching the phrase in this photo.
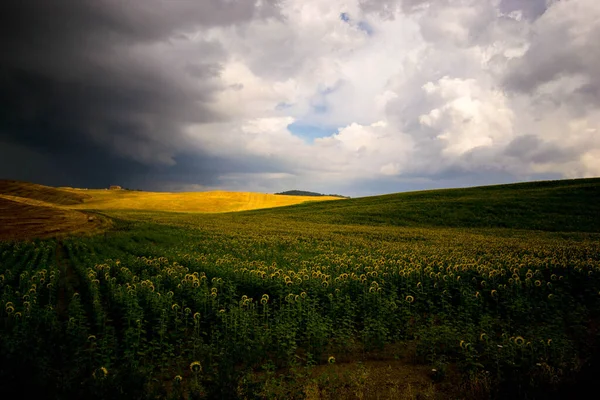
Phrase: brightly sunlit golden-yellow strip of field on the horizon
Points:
(204, 202)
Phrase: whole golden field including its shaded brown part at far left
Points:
(29, 210)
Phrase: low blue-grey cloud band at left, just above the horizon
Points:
(88, 167)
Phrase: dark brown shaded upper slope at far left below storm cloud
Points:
(41, 193)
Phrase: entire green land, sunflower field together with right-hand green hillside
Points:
(488, 292)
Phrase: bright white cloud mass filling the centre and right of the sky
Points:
(431, 87)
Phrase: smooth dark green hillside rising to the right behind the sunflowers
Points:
(566, 205)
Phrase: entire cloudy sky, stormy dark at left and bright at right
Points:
(355, 97)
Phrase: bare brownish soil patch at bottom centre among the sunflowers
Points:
(392, 373)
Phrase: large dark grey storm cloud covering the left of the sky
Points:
(96, 85)
